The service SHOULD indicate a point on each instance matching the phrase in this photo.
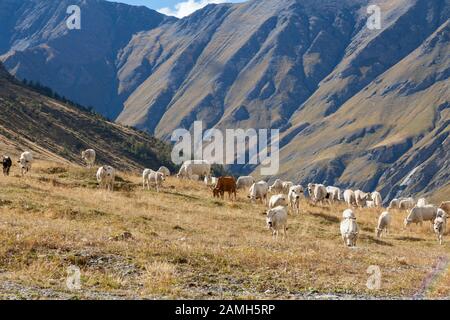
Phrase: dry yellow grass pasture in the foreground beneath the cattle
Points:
(185, 244)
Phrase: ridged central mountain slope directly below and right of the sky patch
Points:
(253, 75)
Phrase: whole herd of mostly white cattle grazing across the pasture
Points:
(284, 196)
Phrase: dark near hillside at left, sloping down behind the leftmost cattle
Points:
(58, 131)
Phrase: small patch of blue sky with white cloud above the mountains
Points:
(177, 8)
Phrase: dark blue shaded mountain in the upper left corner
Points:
(82, 65)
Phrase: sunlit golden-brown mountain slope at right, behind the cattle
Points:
(376, 139)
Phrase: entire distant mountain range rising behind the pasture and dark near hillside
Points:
(356, 107)
